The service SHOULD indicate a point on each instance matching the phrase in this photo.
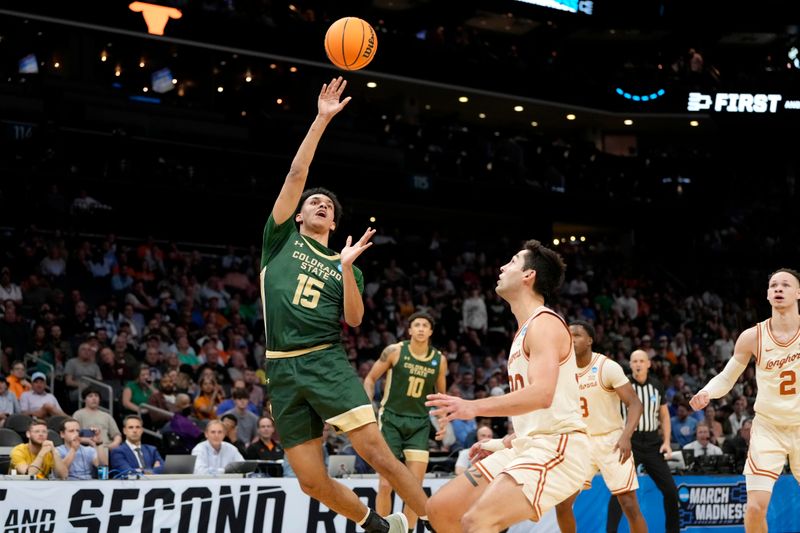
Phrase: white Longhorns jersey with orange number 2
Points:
(778, 377)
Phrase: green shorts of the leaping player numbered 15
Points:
(313, 388)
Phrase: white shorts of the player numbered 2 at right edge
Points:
(769, 446)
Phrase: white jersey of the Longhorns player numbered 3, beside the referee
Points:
(599, 402)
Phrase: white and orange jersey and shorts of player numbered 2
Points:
(776, 426)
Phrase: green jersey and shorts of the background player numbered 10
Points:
(404, 419)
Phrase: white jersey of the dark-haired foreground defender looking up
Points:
(563, 415)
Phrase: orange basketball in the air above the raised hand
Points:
(350, 43)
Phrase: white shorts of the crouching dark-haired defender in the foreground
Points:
(550, 468)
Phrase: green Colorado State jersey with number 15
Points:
(301, 289)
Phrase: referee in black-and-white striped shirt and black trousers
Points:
(648, 448)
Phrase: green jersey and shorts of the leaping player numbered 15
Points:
(310, 378)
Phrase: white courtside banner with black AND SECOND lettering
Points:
(220, 505)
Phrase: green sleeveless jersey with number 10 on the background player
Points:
(409, 382)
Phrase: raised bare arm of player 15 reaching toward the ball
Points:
(328, 105)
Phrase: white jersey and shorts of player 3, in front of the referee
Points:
(600, 407)
